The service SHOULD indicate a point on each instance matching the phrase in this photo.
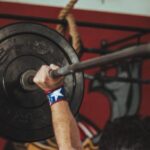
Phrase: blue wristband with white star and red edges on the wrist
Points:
(56, 95)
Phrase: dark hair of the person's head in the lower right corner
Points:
(126, 133)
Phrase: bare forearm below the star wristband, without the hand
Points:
(65, 127)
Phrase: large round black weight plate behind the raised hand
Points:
(25, 115)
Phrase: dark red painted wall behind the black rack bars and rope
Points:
(95, 106)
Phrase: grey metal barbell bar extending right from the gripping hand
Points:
(142, 50)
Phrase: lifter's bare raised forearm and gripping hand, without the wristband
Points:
(65, 126)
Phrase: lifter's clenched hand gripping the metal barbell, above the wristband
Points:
(44, 81)
